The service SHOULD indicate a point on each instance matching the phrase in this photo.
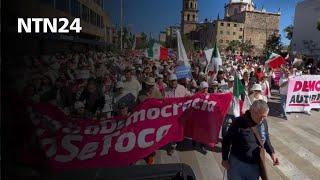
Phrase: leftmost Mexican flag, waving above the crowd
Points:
(156, 51)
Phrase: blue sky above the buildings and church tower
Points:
(153, 16)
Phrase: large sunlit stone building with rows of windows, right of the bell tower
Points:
(242, 22)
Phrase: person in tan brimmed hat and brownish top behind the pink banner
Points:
(149, 90)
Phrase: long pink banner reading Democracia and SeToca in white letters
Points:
(70, 144)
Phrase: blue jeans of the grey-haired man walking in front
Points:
(242, 171)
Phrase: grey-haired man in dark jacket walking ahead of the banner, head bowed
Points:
(240, 147)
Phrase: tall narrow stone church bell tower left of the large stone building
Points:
(189, 16)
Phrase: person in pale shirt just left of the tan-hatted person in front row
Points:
(130, 84)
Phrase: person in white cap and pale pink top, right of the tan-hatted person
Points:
(174, 89)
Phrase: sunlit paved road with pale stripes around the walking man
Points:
(296, 141)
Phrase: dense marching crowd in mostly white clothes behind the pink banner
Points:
(98, 85)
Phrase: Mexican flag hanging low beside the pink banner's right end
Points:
(238, 90)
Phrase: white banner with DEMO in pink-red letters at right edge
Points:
(303, 93)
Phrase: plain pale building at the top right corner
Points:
(306, 36)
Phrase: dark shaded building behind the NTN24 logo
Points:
(95, 22)
